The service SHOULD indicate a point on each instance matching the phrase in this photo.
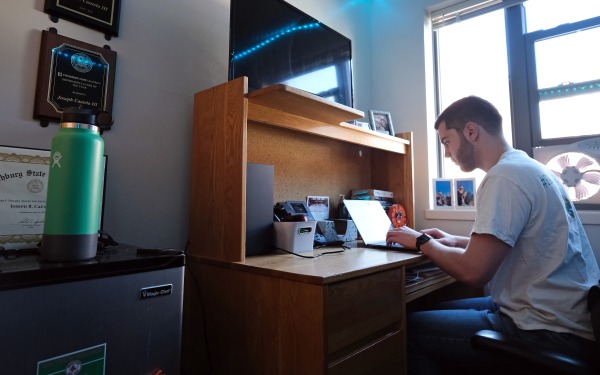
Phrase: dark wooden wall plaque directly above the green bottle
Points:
(72, 73)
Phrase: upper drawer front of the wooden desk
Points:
(362, 311)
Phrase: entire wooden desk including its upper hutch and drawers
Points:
(277, 313)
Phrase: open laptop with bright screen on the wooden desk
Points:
(372, 223)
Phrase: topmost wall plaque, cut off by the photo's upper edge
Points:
(101, 15)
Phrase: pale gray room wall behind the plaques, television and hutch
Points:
(167, 51)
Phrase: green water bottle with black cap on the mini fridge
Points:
(75, 178)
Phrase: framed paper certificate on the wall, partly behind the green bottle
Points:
(22, 213)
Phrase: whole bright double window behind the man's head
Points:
(553, 60)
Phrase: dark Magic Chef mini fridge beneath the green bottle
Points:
(120, 313)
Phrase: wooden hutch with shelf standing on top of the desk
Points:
(304, 136)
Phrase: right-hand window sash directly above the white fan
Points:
(564, 82)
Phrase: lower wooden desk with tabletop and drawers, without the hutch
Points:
(280, 314)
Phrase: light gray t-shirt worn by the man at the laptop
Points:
(543, 281)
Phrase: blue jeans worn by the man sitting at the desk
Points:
(439, 340)
